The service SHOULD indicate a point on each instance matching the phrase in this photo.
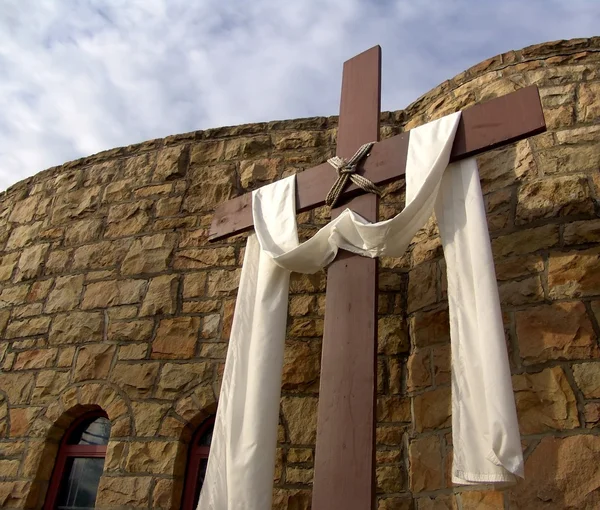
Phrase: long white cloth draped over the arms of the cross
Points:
(486, 440)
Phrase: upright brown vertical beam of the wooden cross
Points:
(345, 453)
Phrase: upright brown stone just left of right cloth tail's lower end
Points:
(425, 457)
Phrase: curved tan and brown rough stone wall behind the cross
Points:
(112, 297)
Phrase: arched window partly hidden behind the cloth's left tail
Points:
(197, 462)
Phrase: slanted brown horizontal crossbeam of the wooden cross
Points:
(483, 127)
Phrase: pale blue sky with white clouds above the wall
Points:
(81, 76)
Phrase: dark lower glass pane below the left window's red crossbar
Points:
(80, 483)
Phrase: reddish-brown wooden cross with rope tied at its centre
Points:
(345, 448)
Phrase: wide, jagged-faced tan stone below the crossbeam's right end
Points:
(553, 197)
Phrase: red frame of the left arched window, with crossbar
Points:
(65, 451)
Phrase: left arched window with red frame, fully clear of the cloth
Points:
(79, 465)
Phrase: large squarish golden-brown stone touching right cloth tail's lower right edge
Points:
(545, 401)
